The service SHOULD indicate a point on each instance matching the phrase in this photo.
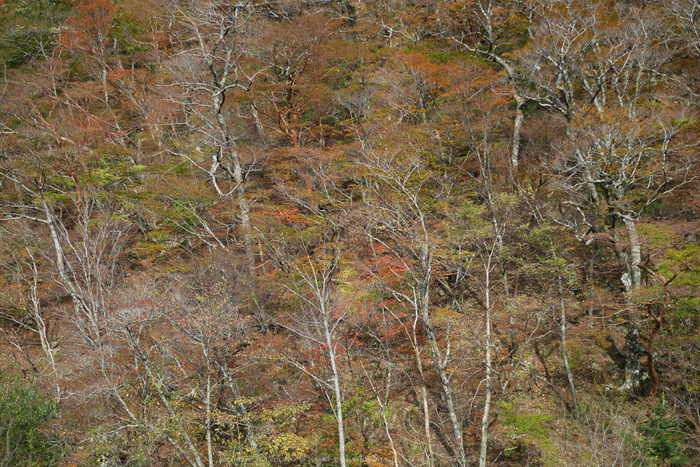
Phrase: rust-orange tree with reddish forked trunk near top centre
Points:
(301, 65)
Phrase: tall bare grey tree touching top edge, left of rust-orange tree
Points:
(206, 72)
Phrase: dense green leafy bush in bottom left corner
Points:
(23, 410)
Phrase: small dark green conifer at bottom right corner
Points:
(663, 439)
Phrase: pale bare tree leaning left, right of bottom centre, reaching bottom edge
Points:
(402, 223)
